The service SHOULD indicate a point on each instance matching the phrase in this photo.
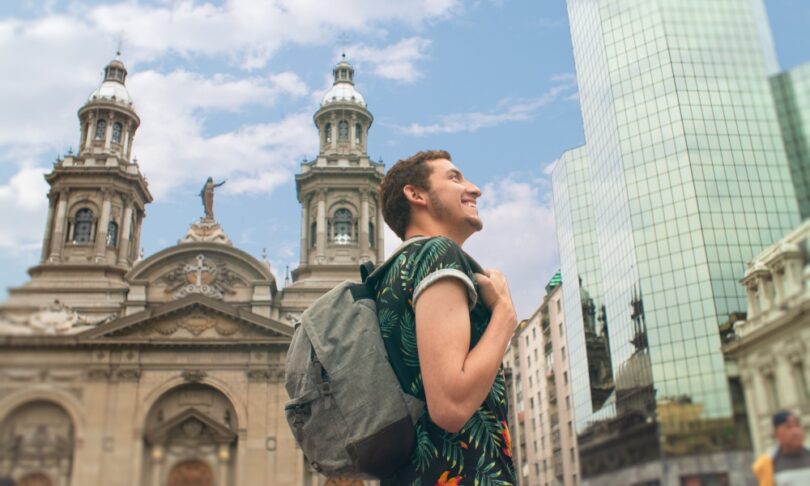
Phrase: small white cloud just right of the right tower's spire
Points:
(396, 61)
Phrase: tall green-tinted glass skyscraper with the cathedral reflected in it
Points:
(682, 179)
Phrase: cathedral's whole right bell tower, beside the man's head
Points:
(341, 219)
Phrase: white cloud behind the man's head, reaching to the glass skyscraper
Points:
(519, 238)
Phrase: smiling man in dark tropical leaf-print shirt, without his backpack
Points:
(446, 324)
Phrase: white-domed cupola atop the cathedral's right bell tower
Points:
(343, 119)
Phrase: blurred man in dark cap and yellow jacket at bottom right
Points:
(789, 463)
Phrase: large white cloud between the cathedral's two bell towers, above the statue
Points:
(173, 148)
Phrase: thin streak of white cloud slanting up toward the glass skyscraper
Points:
(507, 110)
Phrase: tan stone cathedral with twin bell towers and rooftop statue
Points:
(120, 370)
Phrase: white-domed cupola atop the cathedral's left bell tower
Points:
(108, 120)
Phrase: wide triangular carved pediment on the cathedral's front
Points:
(194, 319)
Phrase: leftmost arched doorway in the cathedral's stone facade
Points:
(37, 443)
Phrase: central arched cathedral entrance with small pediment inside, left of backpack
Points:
(190, 438)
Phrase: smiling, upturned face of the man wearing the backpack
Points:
(452, 199)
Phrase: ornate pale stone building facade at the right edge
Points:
(771, 344)
